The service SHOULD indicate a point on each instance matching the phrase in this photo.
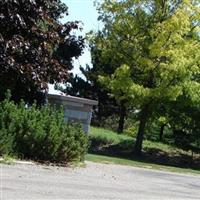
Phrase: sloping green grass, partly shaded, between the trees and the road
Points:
(108, 146)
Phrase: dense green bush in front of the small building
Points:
(39, 134)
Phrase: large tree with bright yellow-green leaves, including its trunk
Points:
(158, 43)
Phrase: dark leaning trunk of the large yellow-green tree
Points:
(141, 130)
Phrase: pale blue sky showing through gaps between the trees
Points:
(84, 11)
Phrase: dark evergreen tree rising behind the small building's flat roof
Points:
(90, 87)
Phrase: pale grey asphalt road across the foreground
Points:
(95, 181)
